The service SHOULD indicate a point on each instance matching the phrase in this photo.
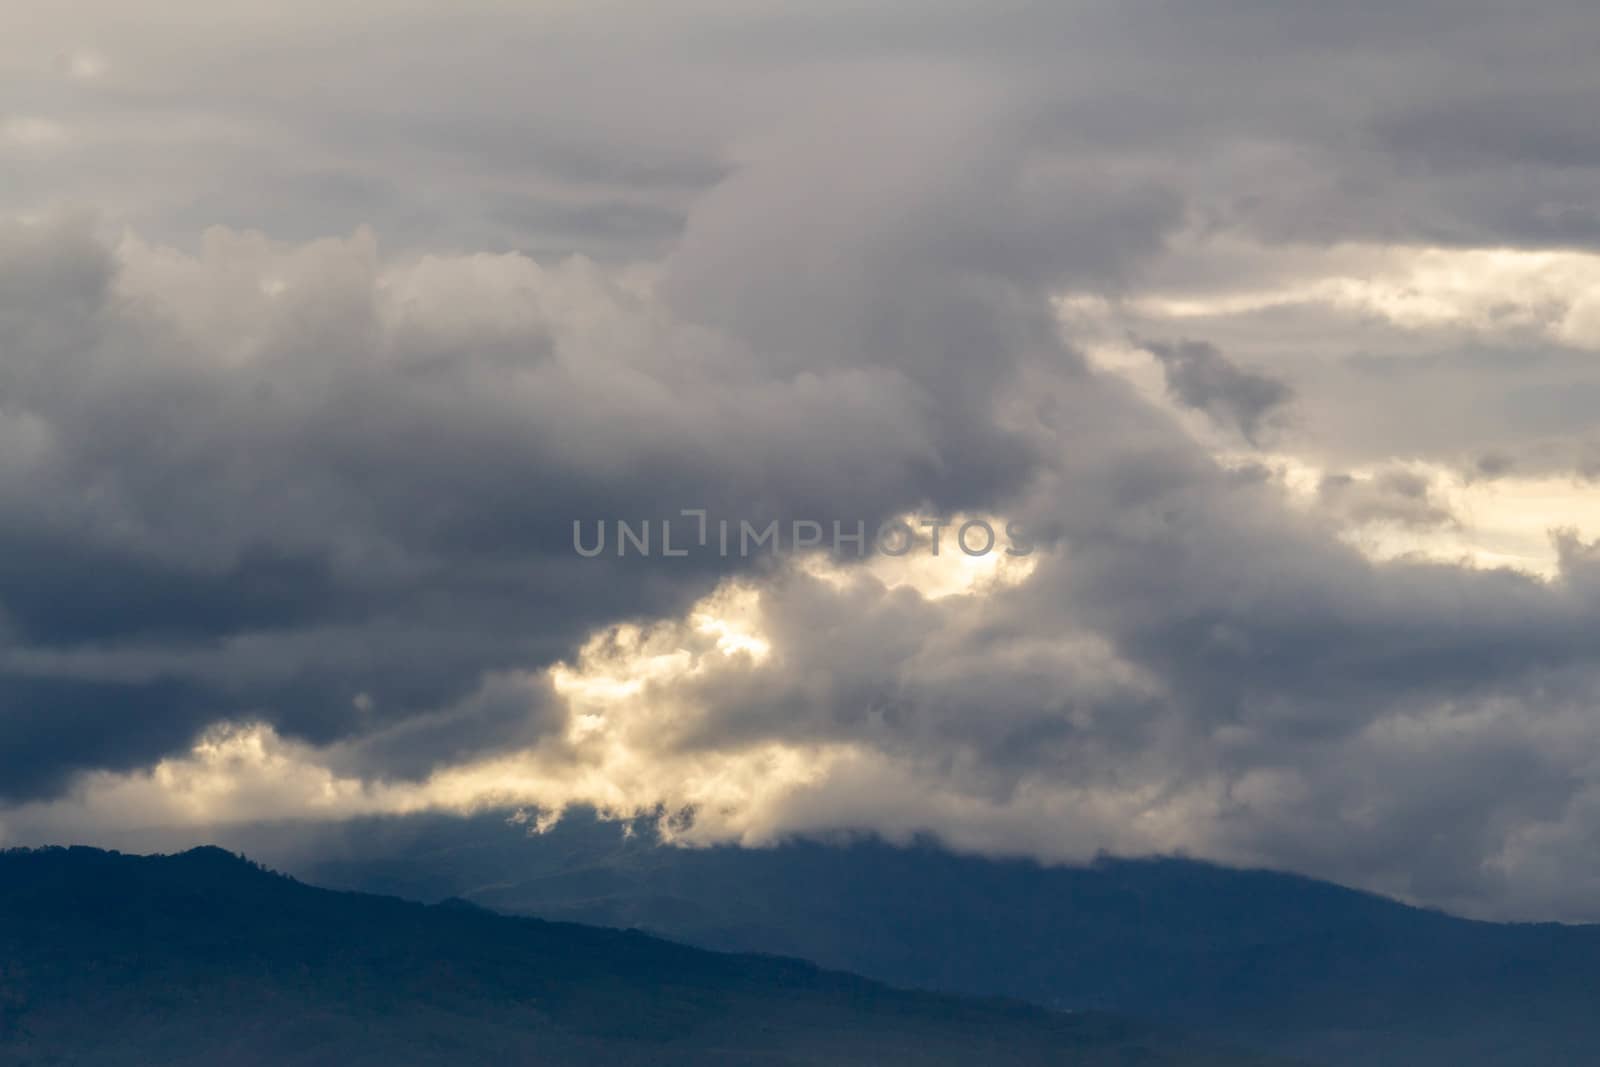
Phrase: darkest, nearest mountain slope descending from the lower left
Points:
(206, 959)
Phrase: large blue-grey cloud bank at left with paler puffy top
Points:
(295, 476)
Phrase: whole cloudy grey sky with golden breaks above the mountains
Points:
(1276, 327)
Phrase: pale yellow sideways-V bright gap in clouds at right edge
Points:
(1449, 295)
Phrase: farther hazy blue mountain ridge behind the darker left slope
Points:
(1282, 962)
